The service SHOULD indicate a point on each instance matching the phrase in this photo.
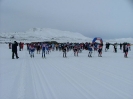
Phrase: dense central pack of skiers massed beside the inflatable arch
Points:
(64, 47)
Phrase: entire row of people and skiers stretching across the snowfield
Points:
(77, 48)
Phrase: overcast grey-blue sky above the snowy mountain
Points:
(92, 18)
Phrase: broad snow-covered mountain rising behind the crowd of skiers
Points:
(44, 34)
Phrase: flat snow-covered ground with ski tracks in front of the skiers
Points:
(109, 77)
